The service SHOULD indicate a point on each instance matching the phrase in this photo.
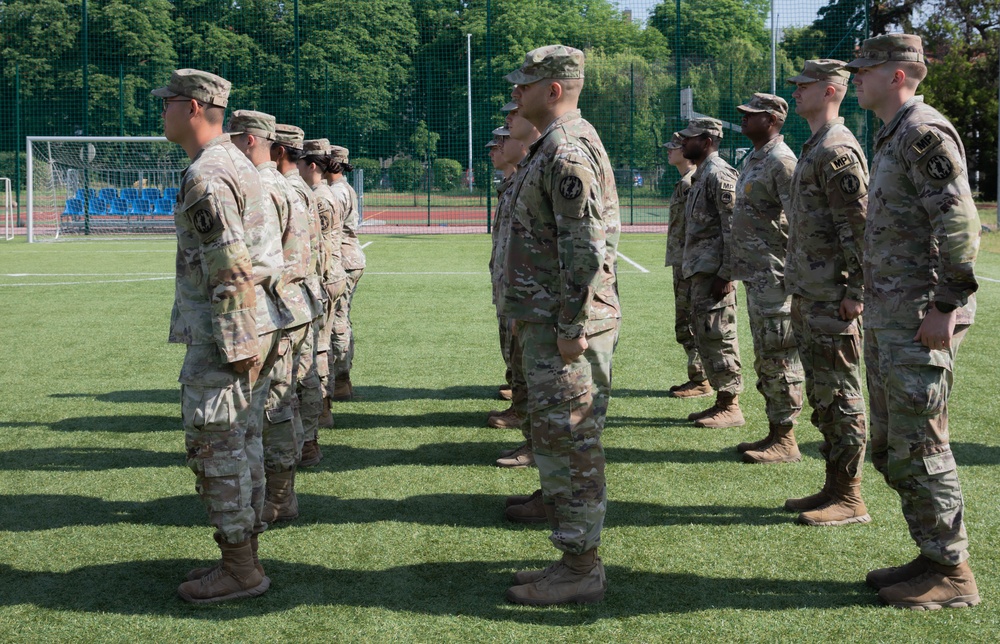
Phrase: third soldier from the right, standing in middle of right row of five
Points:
(760, 234)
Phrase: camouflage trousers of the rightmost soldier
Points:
(908, 387)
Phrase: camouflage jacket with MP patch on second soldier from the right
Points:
(827, 217)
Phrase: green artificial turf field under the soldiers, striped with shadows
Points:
(401, 534)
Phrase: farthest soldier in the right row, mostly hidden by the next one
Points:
(697, 383)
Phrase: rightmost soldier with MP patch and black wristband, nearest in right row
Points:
(921, 242)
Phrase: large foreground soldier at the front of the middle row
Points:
(560, 293)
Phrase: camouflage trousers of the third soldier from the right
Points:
(776, 356)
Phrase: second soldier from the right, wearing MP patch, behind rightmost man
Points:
(823, 274)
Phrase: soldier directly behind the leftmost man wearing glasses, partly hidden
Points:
(253, 133)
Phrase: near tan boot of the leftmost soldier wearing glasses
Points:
(237, 576)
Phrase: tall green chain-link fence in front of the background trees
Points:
(390, 79)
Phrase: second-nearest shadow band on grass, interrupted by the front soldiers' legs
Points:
(31, 512)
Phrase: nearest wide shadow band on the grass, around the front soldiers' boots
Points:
(468, 588)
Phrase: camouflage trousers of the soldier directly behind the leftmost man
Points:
(282, 435)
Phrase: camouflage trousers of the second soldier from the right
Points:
(830, 349)
